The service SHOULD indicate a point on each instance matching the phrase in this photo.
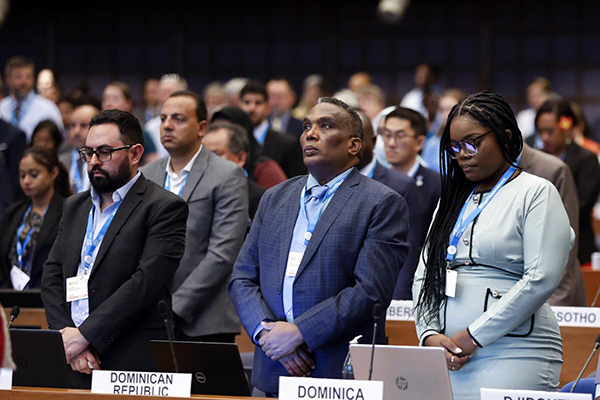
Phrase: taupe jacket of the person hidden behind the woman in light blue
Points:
(571, 290)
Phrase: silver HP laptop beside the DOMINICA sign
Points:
(407, 372)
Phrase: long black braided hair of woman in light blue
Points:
(488, 110)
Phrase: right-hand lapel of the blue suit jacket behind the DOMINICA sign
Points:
(336, 205)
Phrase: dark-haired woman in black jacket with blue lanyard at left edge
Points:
(30, 226)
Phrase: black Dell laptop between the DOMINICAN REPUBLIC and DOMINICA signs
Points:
(216, 368)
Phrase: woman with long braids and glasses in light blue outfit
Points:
(495, 252)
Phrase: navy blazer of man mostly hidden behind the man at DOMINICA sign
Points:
(405, 187)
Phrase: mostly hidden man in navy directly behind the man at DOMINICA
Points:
(406, 188)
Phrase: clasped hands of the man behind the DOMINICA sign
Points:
(283, 342)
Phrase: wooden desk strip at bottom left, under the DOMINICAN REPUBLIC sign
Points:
(73, 394)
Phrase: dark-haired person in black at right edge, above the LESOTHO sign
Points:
(554, 123)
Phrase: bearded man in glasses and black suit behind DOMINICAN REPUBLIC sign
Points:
(115, 255)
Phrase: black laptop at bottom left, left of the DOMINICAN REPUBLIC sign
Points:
(41, 362)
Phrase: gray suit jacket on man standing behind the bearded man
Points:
(217, 197)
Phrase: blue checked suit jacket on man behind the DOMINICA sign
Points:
(351, 263)
